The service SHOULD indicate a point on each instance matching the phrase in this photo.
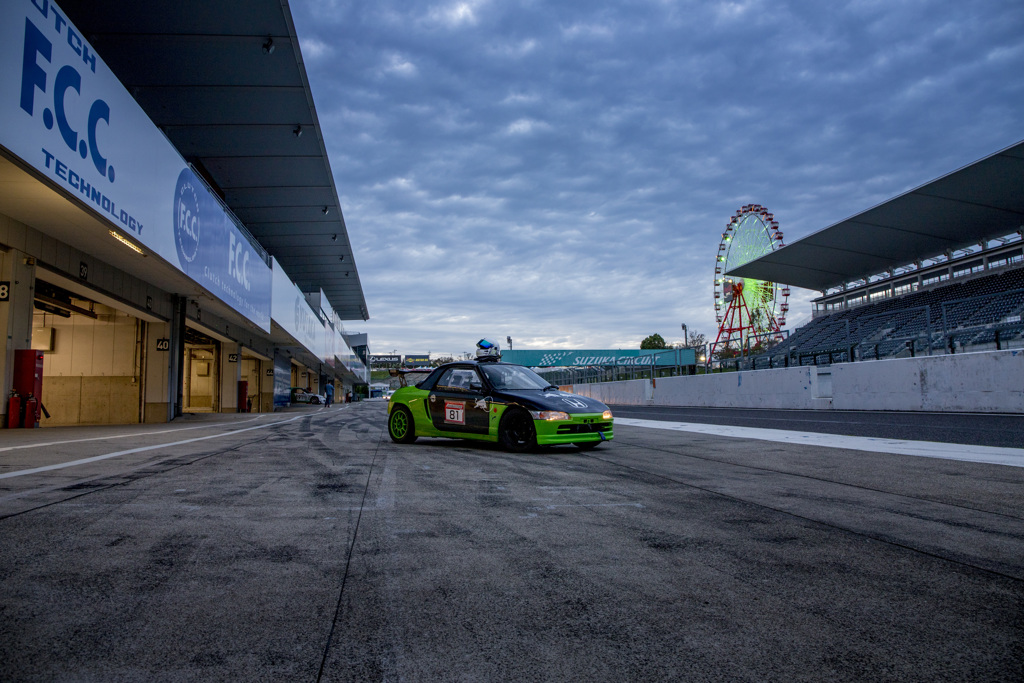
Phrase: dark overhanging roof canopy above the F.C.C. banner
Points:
(227, 84)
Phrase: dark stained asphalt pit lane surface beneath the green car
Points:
(307, 546)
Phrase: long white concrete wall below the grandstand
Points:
(987, 382)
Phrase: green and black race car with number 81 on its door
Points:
(490, 401)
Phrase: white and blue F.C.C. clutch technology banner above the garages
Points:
(65, 114)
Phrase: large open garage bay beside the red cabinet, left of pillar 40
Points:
(93, 355)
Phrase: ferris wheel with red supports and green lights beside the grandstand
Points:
(750, 313)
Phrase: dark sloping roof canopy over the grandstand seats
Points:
(983, 201)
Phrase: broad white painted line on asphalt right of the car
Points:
(966, 453)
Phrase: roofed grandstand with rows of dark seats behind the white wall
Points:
(940, 270)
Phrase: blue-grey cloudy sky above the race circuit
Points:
(562, 172)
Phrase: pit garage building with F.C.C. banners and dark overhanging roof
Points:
(172, 239)
